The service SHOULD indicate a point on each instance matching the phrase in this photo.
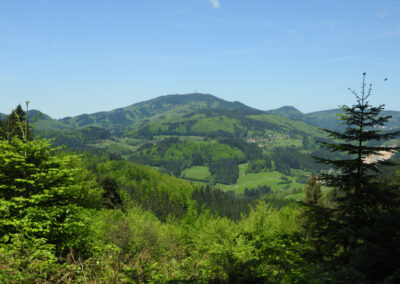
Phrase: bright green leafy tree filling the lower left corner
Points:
(42, 196)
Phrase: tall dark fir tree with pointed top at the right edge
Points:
(361, 234)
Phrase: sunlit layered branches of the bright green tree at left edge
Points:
(39, 195)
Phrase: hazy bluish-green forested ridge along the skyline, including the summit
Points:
(174, 106)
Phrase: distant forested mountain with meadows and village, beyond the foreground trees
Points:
(205, 140)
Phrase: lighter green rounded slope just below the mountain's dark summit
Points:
(223, 123)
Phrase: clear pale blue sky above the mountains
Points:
(82, 56)
